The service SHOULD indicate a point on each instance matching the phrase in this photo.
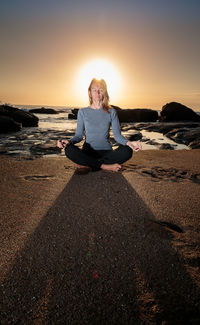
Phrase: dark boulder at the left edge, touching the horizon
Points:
(19, 116)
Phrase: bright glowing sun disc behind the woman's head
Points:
(98, 68)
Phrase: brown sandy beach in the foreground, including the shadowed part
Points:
(101, 248)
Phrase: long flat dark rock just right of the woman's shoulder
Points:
(137, 115)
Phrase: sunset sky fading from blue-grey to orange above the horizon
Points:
(149, 51)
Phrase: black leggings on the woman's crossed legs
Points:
(87, 156)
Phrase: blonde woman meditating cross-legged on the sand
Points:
(94, 121)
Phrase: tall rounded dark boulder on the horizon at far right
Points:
(177, 112)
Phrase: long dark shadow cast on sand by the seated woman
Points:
(97, 257)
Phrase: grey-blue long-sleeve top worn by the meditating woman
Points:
(95, 123)
